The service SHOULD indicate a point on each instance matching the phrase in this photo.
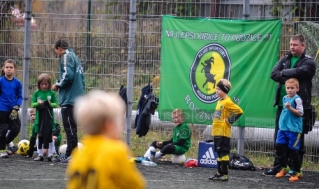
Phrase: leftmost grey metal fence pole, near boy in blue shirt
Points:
(26, 61)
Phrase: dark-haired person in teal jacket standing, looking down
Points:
(70, 85)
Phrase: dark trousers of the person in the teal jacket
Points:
(70, 128)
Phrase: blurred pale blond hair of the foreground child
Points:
(96, 108)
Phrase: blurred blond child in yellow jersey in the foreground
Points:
(103, 162)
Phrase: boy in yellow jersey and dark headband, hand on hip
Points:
(226, 113)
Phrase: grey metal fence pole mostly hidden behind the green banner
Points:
(241, 130)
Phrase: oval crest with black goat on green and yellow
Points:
(211, 64)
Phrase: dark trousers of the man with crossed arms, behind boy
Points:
(301, 151)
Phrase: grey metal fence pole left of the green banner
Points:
(130, 68)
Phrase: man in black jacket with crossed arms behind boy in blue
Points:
(296, 64)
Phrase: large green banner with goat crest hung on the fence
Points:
(197, 53)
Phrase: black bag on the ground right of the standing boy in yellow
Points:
(237, 161)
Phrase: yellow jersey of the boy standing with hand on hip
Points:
(225, 108)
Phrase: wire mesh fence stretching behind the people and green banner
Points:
(98, 32)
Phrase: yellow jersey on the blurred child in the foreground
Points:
(103, 163)
